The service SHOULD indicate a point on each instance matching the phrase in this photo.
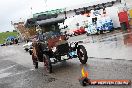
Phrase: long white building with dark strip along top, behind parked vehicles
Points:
(112, 7)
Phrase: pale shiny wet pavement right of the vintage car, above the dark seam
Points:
(114, 46)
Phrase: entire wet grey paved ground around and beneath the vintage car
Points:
(109, 58)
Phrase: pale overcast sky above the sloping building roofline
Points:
(13, 10)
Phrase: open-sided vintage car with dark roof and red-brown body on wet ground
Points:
(54, 45)
